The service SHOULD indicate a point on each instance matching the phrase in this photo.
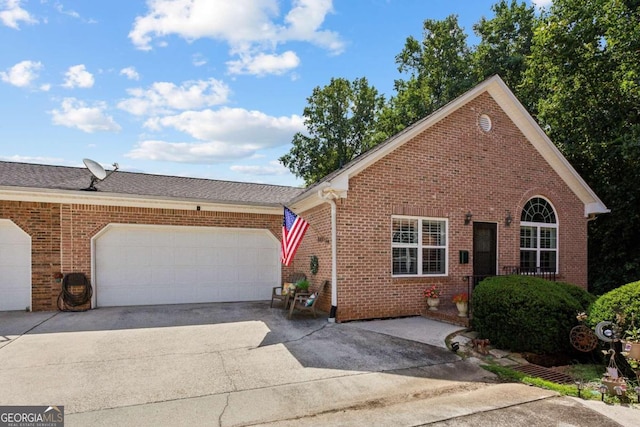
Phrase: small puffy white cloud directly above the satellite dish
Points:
(76, 114)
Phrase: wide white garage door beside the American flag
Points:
(141, 265)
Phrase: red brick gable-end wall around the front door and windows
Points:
(450, 169)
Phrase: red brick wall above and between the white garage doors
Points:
(61, 235)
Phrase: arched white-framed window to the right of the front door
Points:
(538, 237)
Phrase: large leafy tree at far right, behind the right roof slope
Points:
(584, 73)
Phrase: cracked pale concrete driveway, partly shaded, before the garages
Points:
(233, 364)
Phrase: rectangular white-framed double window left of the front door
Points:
(419, 246)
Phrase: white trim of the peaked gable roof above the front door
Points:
(337, 182)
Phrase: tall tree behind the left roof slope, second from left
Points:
(439, 69)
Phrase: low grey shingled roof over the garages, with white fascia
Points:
(25, 181)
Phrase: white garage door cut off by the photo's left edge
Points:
(15, 267)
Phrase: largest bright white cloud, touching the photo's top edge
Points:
(250, 27)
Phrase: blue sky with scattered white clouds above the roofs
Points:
(202, 88)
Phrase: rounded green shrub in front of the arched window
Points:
(524, 313)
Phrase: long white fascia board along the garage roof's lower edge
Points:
(23, 194)
